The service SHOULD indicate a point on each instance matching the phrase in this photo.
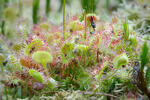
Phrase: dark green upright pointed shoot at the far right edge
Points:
(144, 55)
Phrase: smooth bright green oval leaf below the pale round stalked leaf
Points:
(36, 75)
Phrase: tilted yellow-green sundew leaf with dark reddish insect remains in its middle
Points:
(33, 46)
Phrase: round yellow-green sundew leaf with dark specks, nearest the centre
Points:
(67, 52)
